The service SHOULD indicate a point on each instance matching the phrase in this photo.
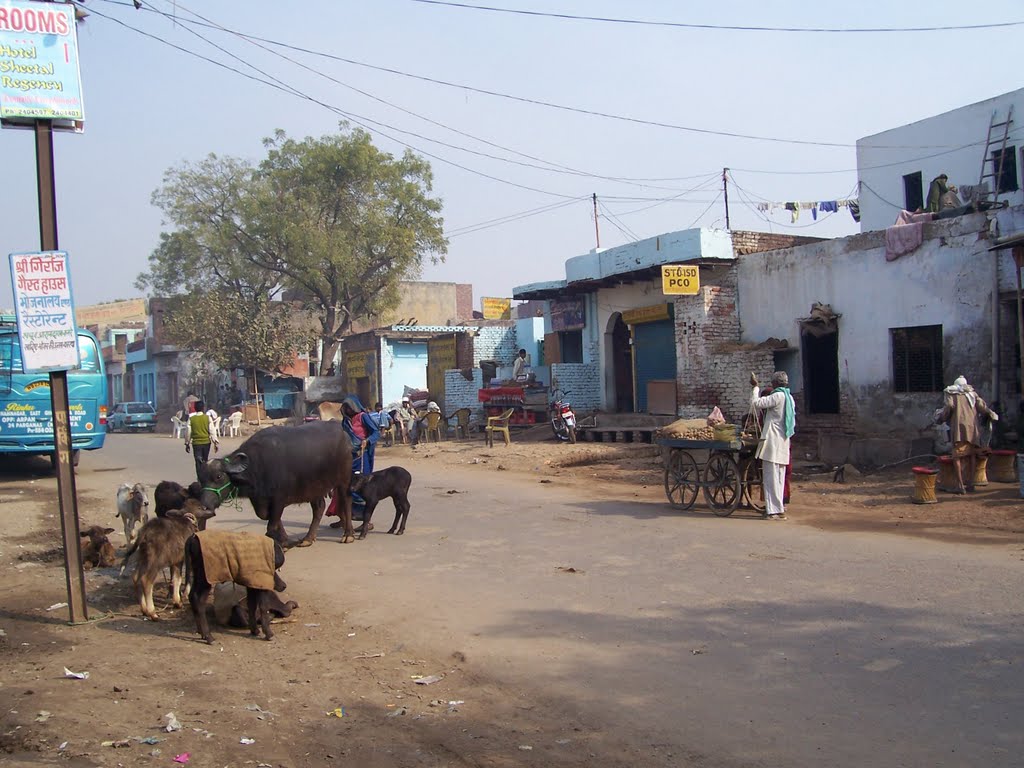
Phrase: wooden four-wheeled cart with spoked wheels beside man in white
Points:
(730, 477)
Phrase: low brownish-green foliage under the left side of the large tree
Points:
(229, 334)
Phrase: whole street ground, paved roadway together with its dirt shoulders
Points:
(580, 618)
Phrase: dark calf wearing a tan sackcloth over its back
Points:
(252, 562)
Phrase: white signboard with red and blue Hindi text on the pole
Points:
(46, 311)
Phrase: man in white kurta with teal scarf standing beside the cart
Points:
(774, 450)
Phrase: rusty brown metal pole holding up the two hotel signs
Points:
(67, 494)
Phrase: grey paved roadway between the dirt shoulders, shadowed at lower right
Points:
(741, 642)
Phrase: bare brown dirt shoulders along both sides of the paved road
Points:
(280, 694)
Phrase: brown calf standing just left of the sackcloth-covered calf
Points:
(161, 544)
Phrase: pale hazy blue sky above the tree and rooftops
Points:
(151, 107)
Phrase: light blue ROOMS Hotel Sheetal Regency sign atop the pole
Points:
(39, 67)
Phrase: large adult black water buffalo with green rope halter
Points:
(280, 466)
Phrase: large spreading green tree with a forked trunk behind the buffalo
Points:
(334, 219)
